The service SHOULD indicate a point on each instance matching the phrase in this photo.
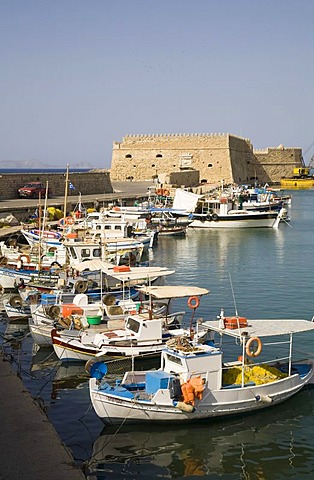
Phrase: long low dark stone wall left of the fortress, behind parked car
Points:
(87, 183)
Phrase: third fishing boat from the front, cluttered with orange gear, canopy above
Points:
(117, 299)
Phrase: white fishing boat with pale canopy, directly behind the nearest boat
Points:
(141, 334)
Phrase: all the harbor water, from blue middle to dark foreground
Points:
(258, 273)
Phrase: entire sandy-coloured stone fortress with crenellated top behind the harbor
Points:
(215, 157)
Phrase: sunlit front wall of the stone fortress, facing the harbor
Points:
(144, 156)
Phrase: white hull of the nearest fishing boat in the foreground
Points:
(220, 403)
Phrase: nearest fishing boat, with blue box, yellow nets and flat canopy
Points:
(198, 381)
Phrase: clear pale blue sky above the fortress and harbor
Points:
(77, 75)
